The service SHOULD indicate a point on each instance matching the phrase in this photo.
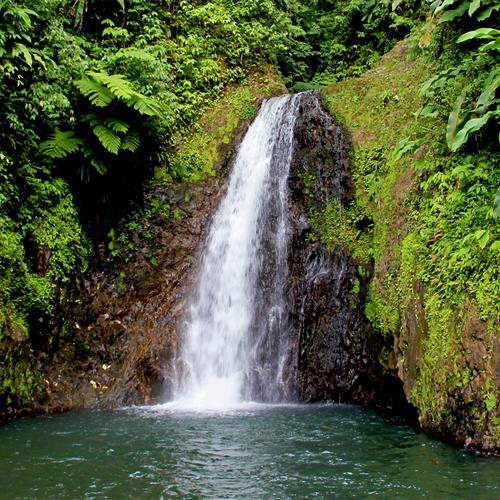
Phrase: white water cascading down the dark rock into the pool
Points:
(216, 355)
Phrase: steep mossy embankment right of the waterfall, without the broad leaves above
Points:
(419, 217)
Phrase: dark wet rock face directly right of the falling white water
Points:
(335, 358)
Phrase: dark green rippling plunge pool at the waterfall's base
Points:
(250, 451)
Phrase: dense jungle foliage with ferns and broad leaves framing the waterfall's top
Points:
(96, 95)
